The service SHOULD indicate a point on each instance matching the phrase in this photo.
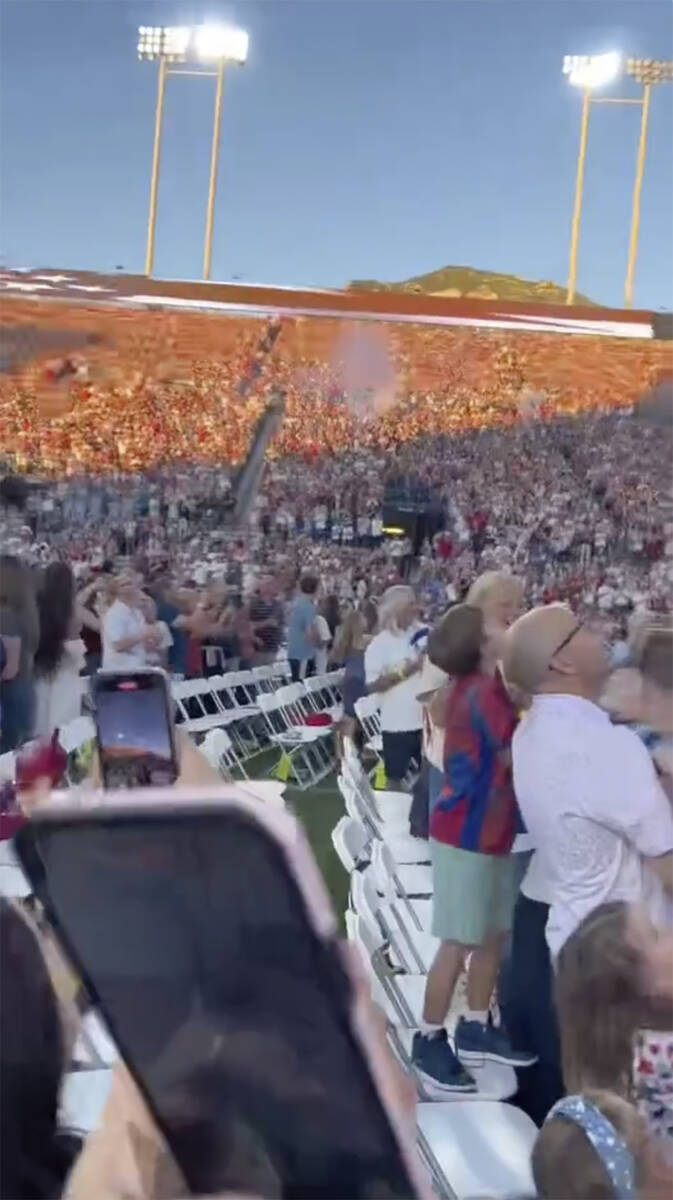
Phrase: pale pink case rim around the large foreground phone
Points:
(290, 836)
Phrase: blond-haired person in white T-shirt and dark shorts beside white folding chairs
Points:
(392, 661)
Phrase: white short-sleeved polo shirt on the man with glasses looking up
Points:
(594, 809)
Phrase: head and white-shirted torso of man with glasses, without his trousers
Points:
(599, 819)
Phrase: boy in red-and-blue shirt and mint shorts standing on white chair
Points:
(472, 831)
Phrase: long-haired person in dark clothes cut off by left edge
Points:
(19, 620)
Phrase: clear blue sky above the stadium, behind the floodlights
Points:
(365, 139)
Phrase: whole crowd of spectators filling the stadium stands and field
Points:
(544, 505)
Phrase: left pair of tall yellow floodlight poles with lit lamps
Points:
(178, 45)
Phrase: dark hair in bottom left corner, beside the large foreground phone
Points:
(35, 1159)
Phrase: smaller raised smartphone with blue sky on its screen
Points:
(135, 729)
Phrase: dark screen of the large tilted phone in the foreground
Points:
(233, 1016)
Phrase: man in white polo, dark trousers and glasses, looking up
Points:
(596, 813)
